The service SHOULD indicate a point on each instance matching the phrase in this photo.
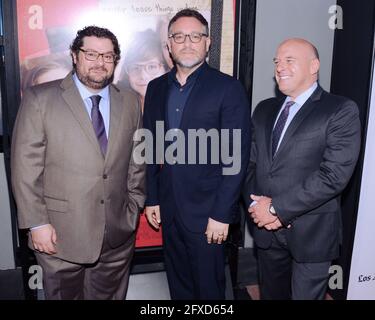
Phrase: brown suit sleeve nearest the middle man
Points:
(136, 175)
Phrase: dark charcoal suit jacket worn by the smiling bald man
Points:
(312, 166)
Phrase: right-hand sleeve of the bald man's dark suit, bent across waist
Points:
(343, 140)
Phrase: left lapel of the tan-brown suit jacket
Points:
(74, 101)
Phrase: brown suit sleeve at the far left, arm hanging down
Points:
(27, 163)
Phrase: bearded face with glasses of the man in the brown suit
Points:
(95, 62)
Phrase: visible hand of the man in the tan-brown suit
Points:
(44, 239)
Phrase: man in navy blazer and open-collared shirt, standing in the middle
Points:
(195, 194)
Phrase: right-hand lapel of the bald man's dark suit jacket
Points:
(301, 115)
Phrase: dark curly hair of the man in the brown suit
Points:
(94, 31)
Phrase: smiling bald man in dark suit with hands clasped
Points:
(304, 150)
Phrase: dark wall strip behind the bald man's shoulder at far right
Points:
(351, 75)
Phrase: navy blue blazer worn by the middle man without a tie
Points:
(199, 191)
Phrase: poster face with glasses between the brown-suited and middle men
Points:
(142, 72)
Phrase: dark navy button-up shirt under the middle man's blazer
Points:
(178, 96)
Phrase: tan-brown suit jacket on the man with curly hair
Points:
(60, 176)
